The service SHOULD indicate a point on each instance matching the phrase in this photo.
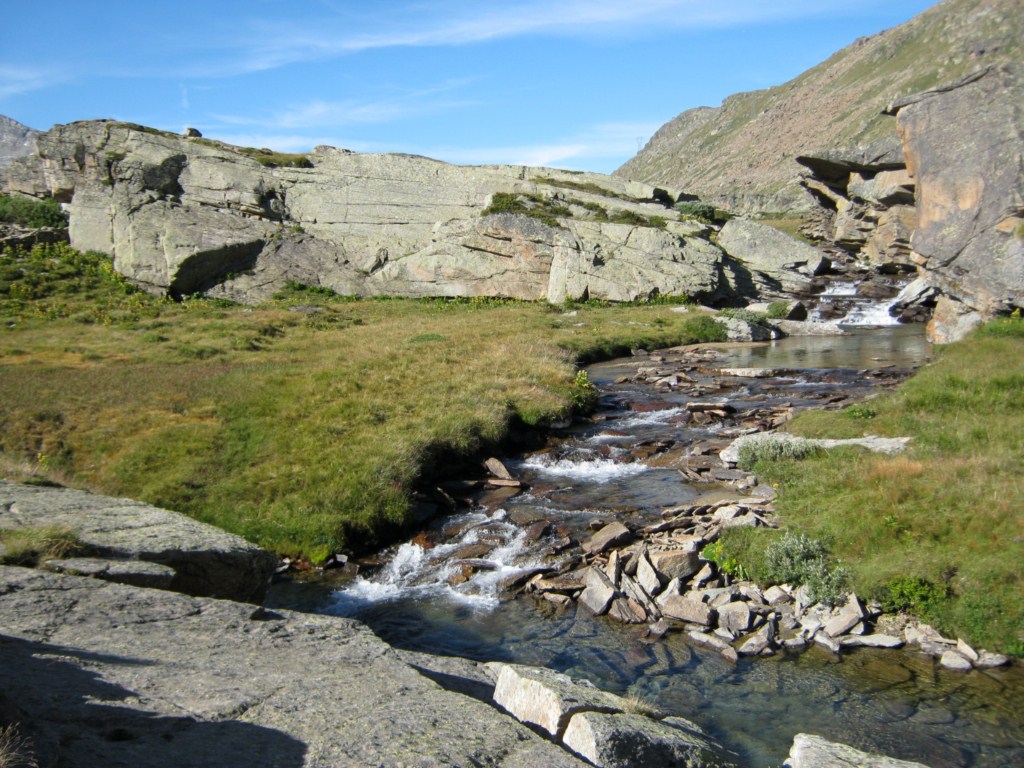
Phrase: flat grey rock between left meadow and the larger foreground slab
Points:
(207, 562)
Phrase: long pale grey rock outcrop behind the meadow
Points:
(185, 216)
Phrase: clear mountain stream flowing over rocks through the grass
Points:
(441, 593)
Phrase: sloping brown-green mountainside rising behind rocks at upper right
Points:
(743, 154)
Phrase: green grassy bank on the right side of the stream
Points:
(940, 529)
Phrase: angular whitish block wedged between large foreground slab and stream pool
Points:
(546, 698)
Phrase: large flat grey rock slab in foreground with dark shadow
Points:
(106, 674)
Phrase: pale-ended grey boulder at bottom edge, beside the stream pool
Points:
(624, 741)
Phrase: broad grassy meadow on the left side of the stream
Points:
(304, 432)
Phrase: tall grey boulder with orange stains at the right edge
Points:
(965, 148)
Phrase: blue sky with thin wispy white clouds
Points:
(569, 83)
